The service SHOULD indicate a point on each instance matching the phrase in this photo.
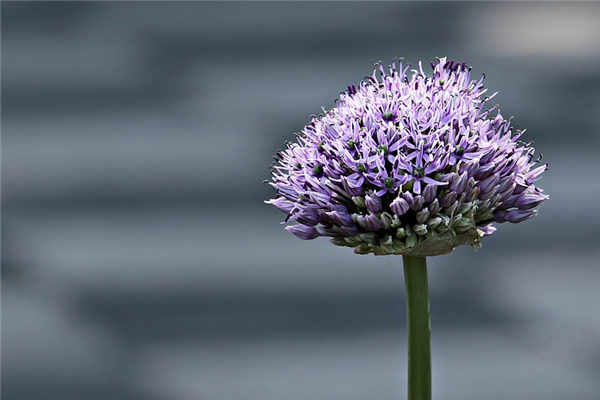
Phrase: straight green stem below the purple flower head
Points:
(419, 328)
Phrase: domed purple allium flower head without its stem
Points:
(408, 164)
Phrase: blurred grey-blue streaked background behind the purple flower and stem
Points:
(139, 261)
